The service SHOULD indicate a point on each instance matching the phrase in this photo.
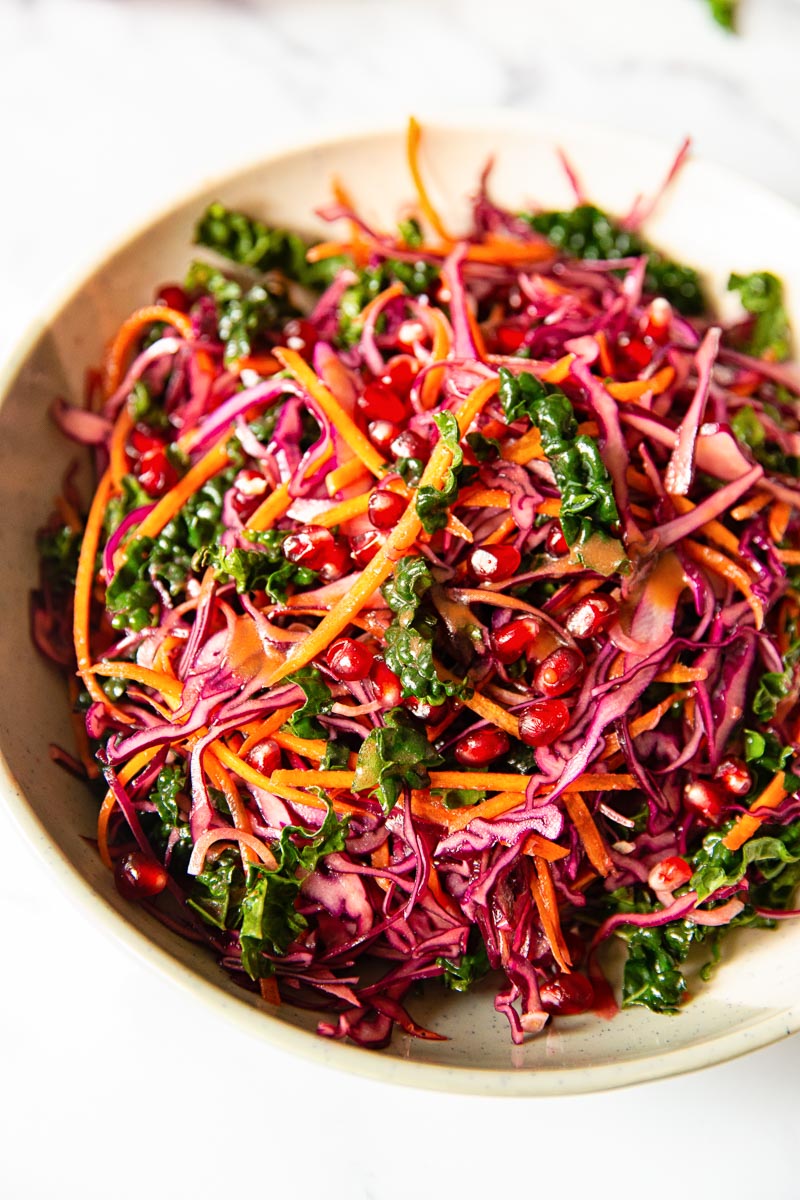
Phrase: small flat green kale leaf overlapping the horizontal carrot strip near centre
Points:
(394, 757)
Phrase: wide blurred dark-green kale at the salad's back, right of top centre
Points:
(587, 232)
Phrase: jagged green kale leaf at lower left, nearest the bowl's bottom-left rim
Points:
(270, 921)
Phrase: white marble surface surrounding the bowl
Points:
(112, 1085)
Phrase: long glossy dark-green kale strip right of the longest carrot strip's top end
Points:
(588, 501)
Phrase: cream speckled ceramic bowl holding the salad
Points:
(711, 219)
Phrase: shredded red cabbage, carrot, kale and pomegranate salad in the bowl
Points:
(436, 613)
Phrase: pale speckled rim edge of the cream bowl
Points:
(272, 1029)
